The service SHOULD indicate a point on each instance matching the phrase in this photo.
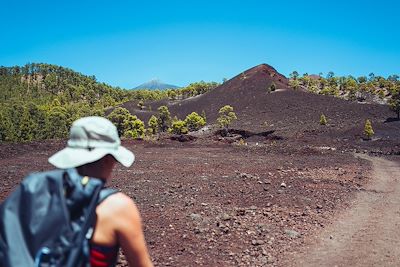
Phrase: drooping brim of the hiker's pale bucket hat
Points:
(71, 157)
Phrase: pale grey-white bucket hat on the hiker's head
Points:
(90, 139)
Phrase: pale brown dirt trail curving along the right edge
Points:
(368, 233)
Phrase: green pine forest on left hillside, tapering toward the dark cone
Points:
(40, 101)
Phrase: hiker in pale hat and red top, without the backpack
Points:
(93, 149)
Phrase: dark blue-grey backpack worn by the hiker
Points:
(48, 220)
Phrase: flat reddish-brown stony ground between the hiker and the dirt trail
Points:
(220, 204)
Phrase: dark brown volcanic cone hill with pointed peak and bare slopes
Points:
(286, 112)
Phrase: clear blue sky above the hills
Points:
(126, 43)
